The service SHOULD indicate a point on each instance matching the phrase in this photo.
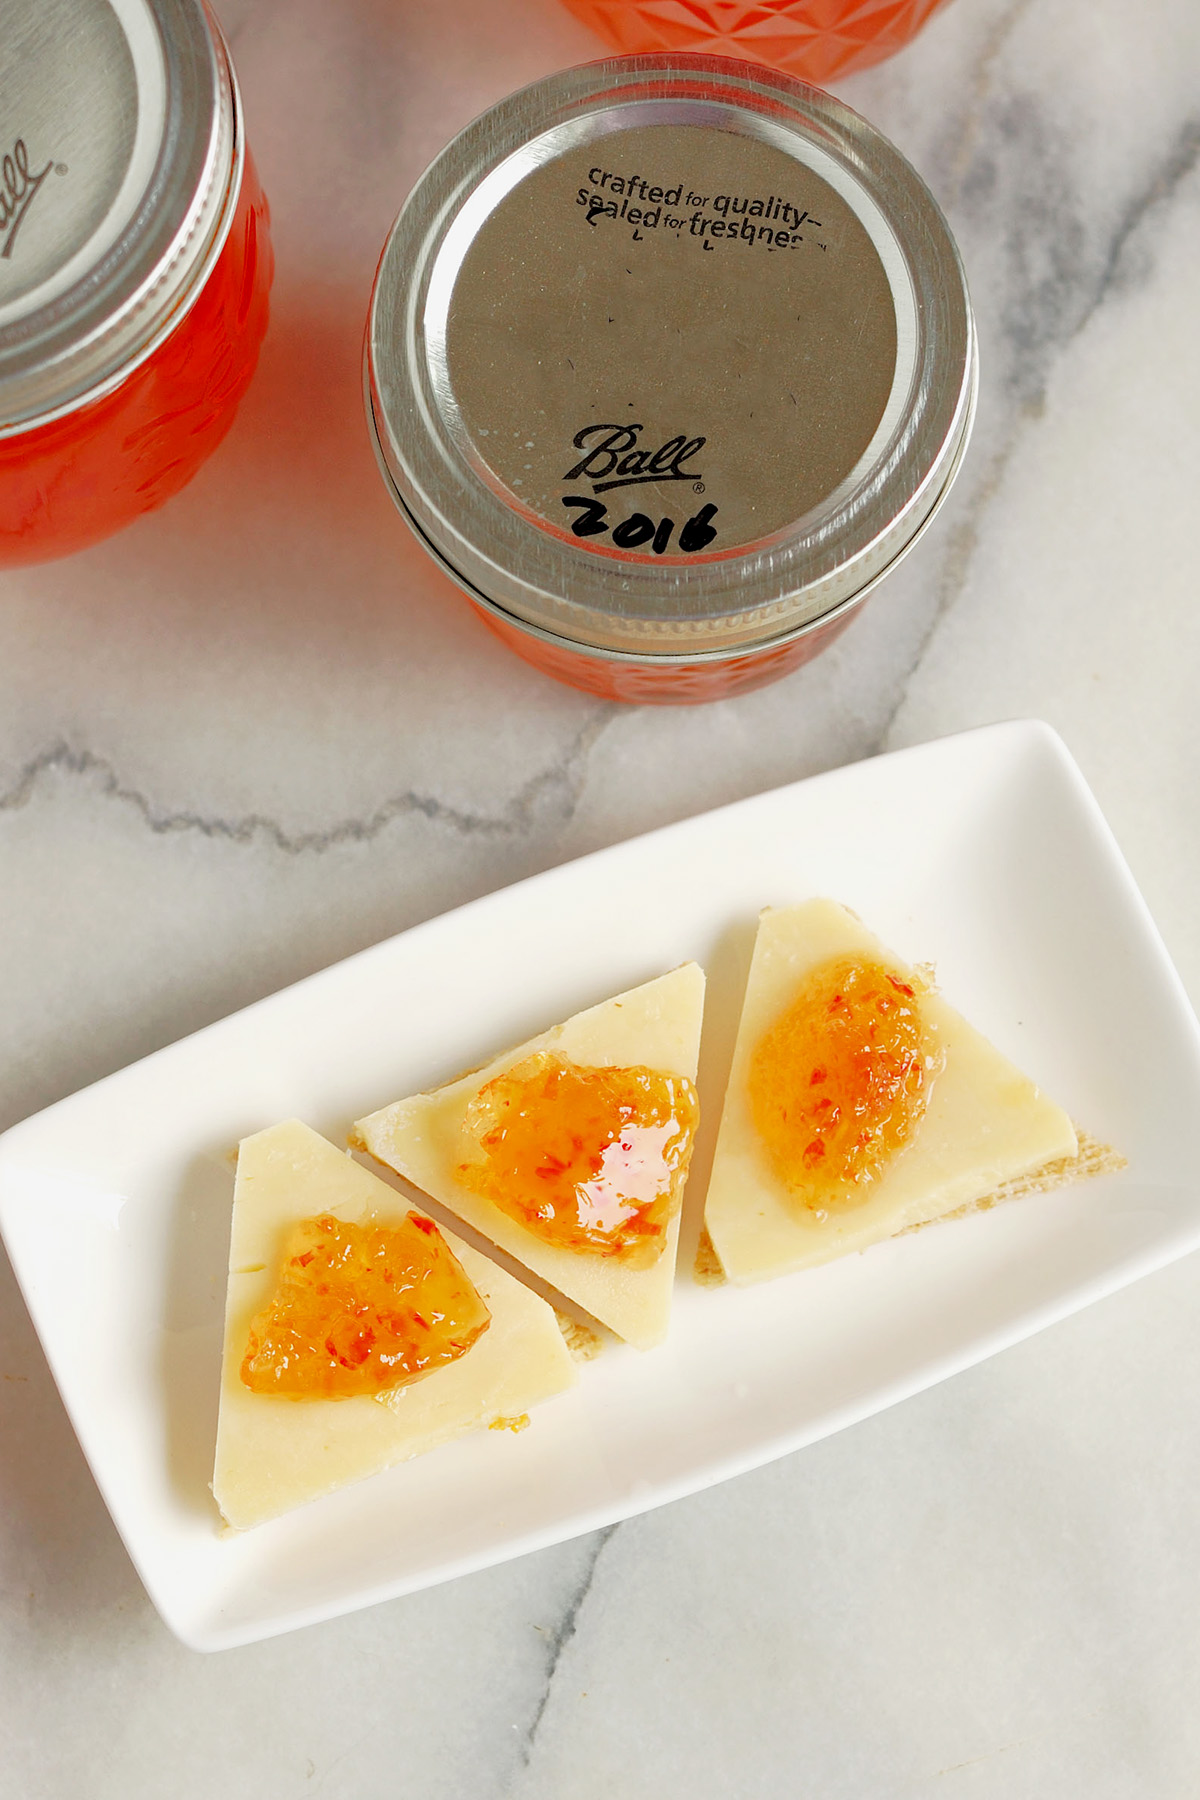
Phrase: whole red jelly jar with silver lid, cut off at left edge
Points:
(136, 264)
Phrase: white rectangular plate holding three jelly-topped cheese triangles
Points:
(983, 854)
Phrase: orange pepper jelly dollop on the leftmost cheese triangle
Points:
(363, 1308)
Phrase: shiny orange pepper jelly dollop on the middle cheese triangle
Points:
(589, 1158)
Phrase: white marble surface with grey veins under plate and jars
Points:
(260, 732)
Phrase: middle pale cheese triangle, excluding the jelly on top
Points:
(424, 1138)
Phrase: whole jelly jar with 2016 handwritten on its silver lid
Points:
(668, 363)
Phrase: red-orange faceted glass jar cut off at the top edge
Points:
(816, 40)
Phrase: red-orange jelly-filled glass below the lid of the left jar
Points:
(93, 471)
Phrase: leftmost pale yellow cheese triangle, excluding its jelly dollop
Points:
(274, 1453)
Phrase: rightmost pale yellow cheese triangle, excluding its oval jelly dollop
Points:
(985, 1122)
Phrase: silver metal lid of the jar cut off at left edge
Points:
(120, 166)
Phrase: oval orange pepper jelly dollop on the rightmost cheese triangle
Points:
(841, 1081)
